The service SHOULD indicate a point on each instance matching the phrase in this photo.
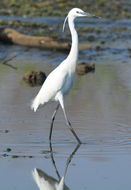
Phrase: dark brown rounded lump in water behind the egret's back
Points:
(34, 78)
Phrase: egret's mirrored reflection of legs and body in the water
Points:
(46, 182)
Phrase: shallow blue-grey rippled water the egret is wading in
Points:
(99, 107)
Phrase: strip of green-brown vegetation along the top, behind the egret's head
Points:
(104, 8)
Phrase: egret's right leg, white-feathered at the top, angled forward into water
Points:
(67, 121)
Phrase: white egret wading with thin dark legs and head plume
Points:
(60, 80)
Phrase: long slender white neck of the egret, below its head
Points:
(73, 55)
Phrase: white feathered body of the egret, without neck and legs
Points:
(56, 82)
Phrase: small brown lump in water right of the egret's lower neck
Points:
(83, 68)
